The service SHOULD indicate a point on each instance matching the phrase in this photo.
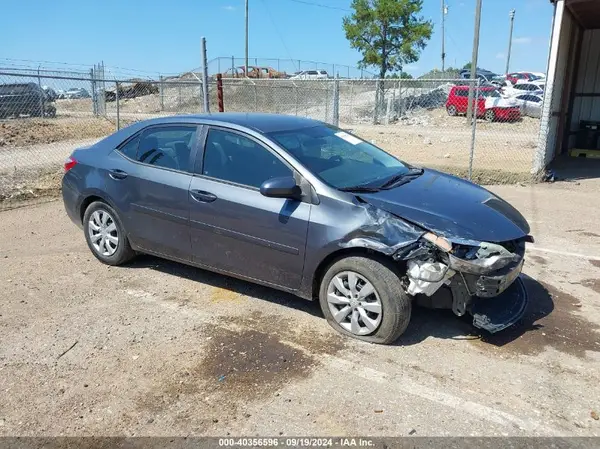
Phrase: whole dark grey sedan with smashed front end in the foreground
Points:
(322, 214)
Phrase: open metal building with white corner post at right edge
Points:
(572, 95)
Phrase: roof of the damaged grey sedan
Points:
(263, 123)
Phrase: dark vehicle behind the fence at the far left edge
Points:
(25, 99)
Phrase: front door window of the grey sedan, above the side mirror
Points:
(232, 157)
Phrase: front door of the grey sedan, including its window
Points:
(236, 229)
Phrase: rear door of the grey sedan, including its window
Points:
(148, 180)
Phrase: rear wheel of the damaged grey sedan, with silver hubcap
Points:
(121, 250)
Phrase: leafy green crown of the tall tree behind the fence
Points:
(388, 33)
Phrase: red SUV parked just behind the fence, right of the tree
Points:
(490, 104)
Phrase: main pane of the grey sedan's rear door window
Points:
(167, 147)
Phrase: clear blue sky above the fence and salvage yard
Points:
(165, 36)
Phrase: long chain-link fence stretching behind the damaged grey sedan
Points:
(44, 116)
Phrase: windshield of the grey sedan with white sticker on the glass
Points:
(338, 158)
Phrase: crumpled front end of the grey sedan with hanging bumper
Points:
(480, 278)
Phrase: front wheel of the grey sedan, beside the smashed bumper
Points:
(395, 305)
